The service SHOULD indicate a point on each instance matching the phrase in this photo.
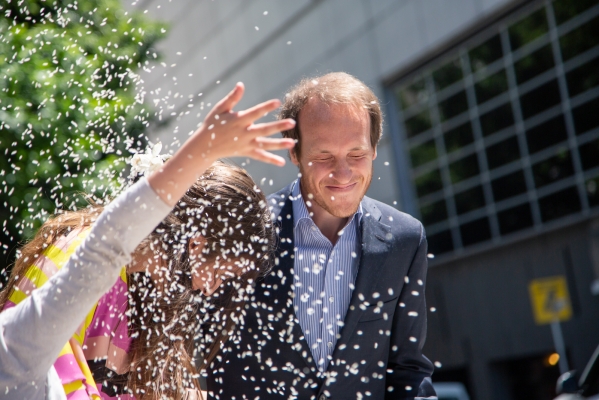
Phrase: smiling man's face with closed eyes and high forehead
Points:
(336, 156)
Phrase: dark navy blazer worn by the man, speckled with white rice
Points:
(379, 354)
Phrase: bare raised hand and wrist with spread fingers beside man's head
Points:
(224, 133)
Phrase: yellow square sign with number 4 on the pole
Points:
(550, 300)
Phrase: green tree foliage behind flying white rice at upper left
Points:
(69, 108)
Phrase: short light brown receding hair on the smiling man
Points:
(332, 88)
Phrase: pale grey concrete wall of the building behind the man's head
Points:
(270, 45)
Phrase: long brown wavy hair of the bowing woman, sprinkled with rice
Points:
(176, 330)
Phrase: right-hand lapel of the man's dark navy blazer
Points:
(375, 248)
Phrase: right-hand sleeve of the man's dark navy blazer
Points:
(407, 366)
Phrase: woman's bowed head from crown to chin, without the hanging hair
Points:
(228, 228)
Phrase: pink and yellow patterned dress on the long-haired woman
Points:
(101, 341)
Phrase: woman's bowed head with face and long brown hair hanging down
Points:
(220, 231)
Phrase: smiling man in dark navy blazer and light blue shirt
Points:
(342, 314)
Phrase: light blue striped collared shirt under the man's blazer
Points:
(324, 277)
